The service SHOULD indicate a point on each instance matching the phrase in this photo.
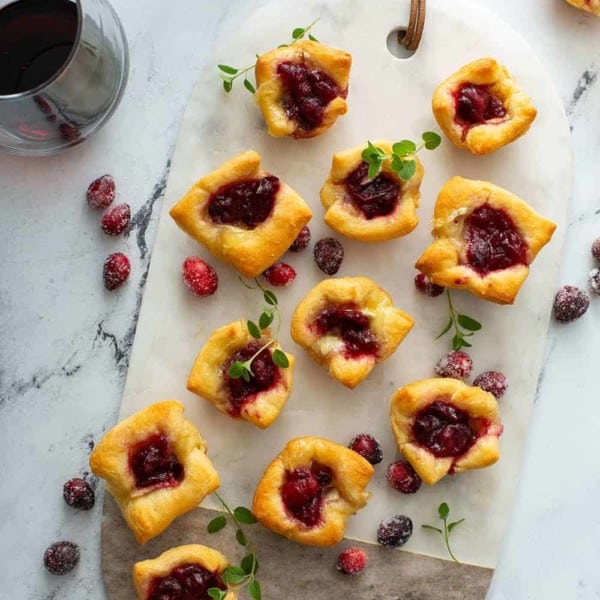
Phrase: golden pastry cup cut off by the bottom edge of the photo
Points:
(193, 568)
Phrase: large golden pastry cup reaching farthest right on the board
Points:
(485, 240)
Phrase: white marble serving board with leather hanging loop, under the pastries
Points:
(389, 98)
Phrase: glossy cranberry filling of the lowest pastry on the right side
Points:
(444, 429)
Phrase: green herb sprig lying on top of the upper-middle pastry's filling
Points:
(401, 161)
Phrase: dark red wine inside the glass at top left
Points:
(36, 39)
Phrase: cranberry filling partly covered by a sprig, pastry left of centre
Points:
(266, 374)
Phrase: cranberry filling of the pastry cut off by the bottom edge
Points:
(186, 582)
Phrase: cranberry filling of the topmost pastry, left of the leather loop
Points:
(307, 91)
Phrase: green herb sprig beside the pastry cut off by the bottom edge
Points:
(245, 574)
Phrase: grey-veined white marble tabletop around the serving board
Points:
(64, 342)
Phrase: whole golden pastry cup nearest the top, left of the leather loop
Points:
(285, 75)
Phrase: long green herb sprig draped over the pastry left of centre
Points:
(241, 369)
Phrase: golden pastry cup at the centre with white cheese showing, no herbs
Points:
(348, 325)
